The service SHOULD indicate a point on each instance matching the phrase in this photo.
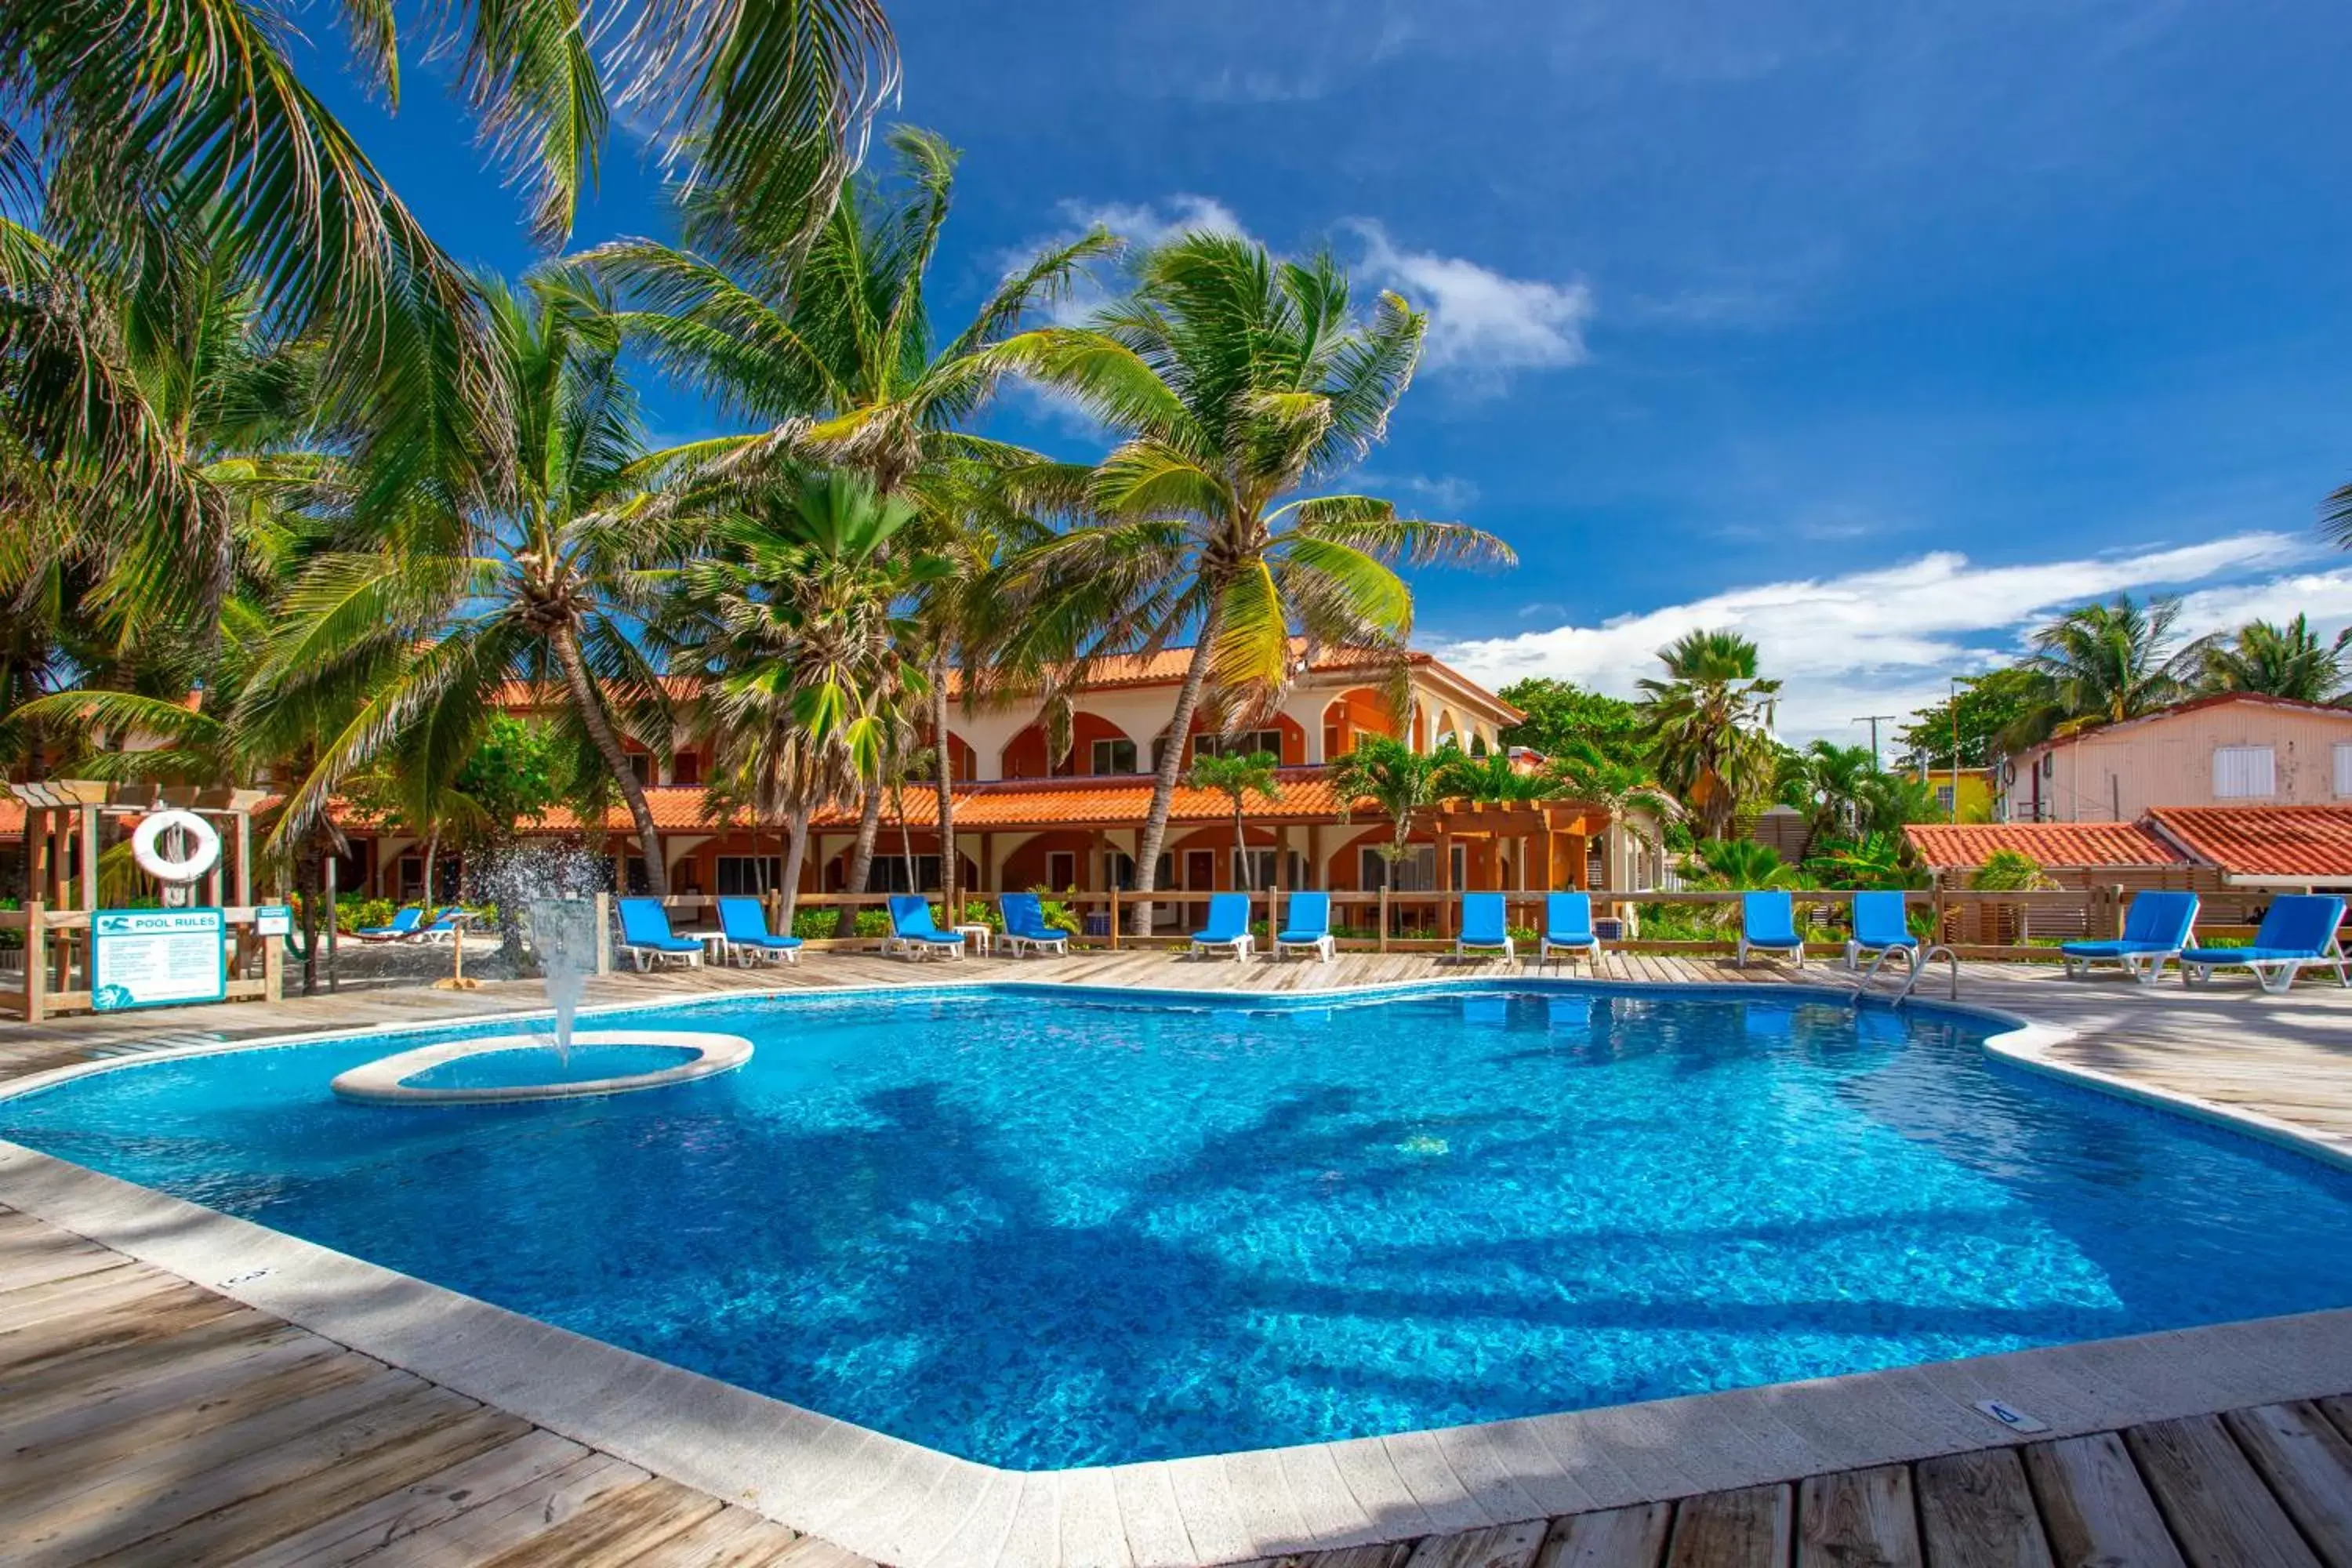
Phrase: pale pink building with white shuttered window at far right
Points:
(2217, 751)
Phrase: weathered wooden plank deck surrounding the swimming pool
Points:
(147, 1419)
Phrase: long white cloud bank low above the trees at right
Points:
(1887, 641)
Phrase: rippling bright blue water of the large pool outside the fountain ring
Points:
(1043, 1231)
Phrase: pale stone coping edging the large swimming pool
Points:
(902, 1503)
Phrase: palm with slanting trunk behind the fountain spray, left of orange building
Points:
(523, 561)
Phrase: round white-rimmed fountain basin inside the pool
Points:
(507, 1068)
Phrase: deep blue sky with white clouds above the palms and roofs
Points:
(1871, 330)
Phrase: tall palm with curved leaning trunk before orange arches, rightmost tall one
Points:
(1236, 384)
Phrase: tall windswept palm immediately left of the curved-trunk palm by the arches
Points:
(838, 366)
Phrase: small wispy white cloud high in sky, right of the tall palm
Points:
(1481, 319)
